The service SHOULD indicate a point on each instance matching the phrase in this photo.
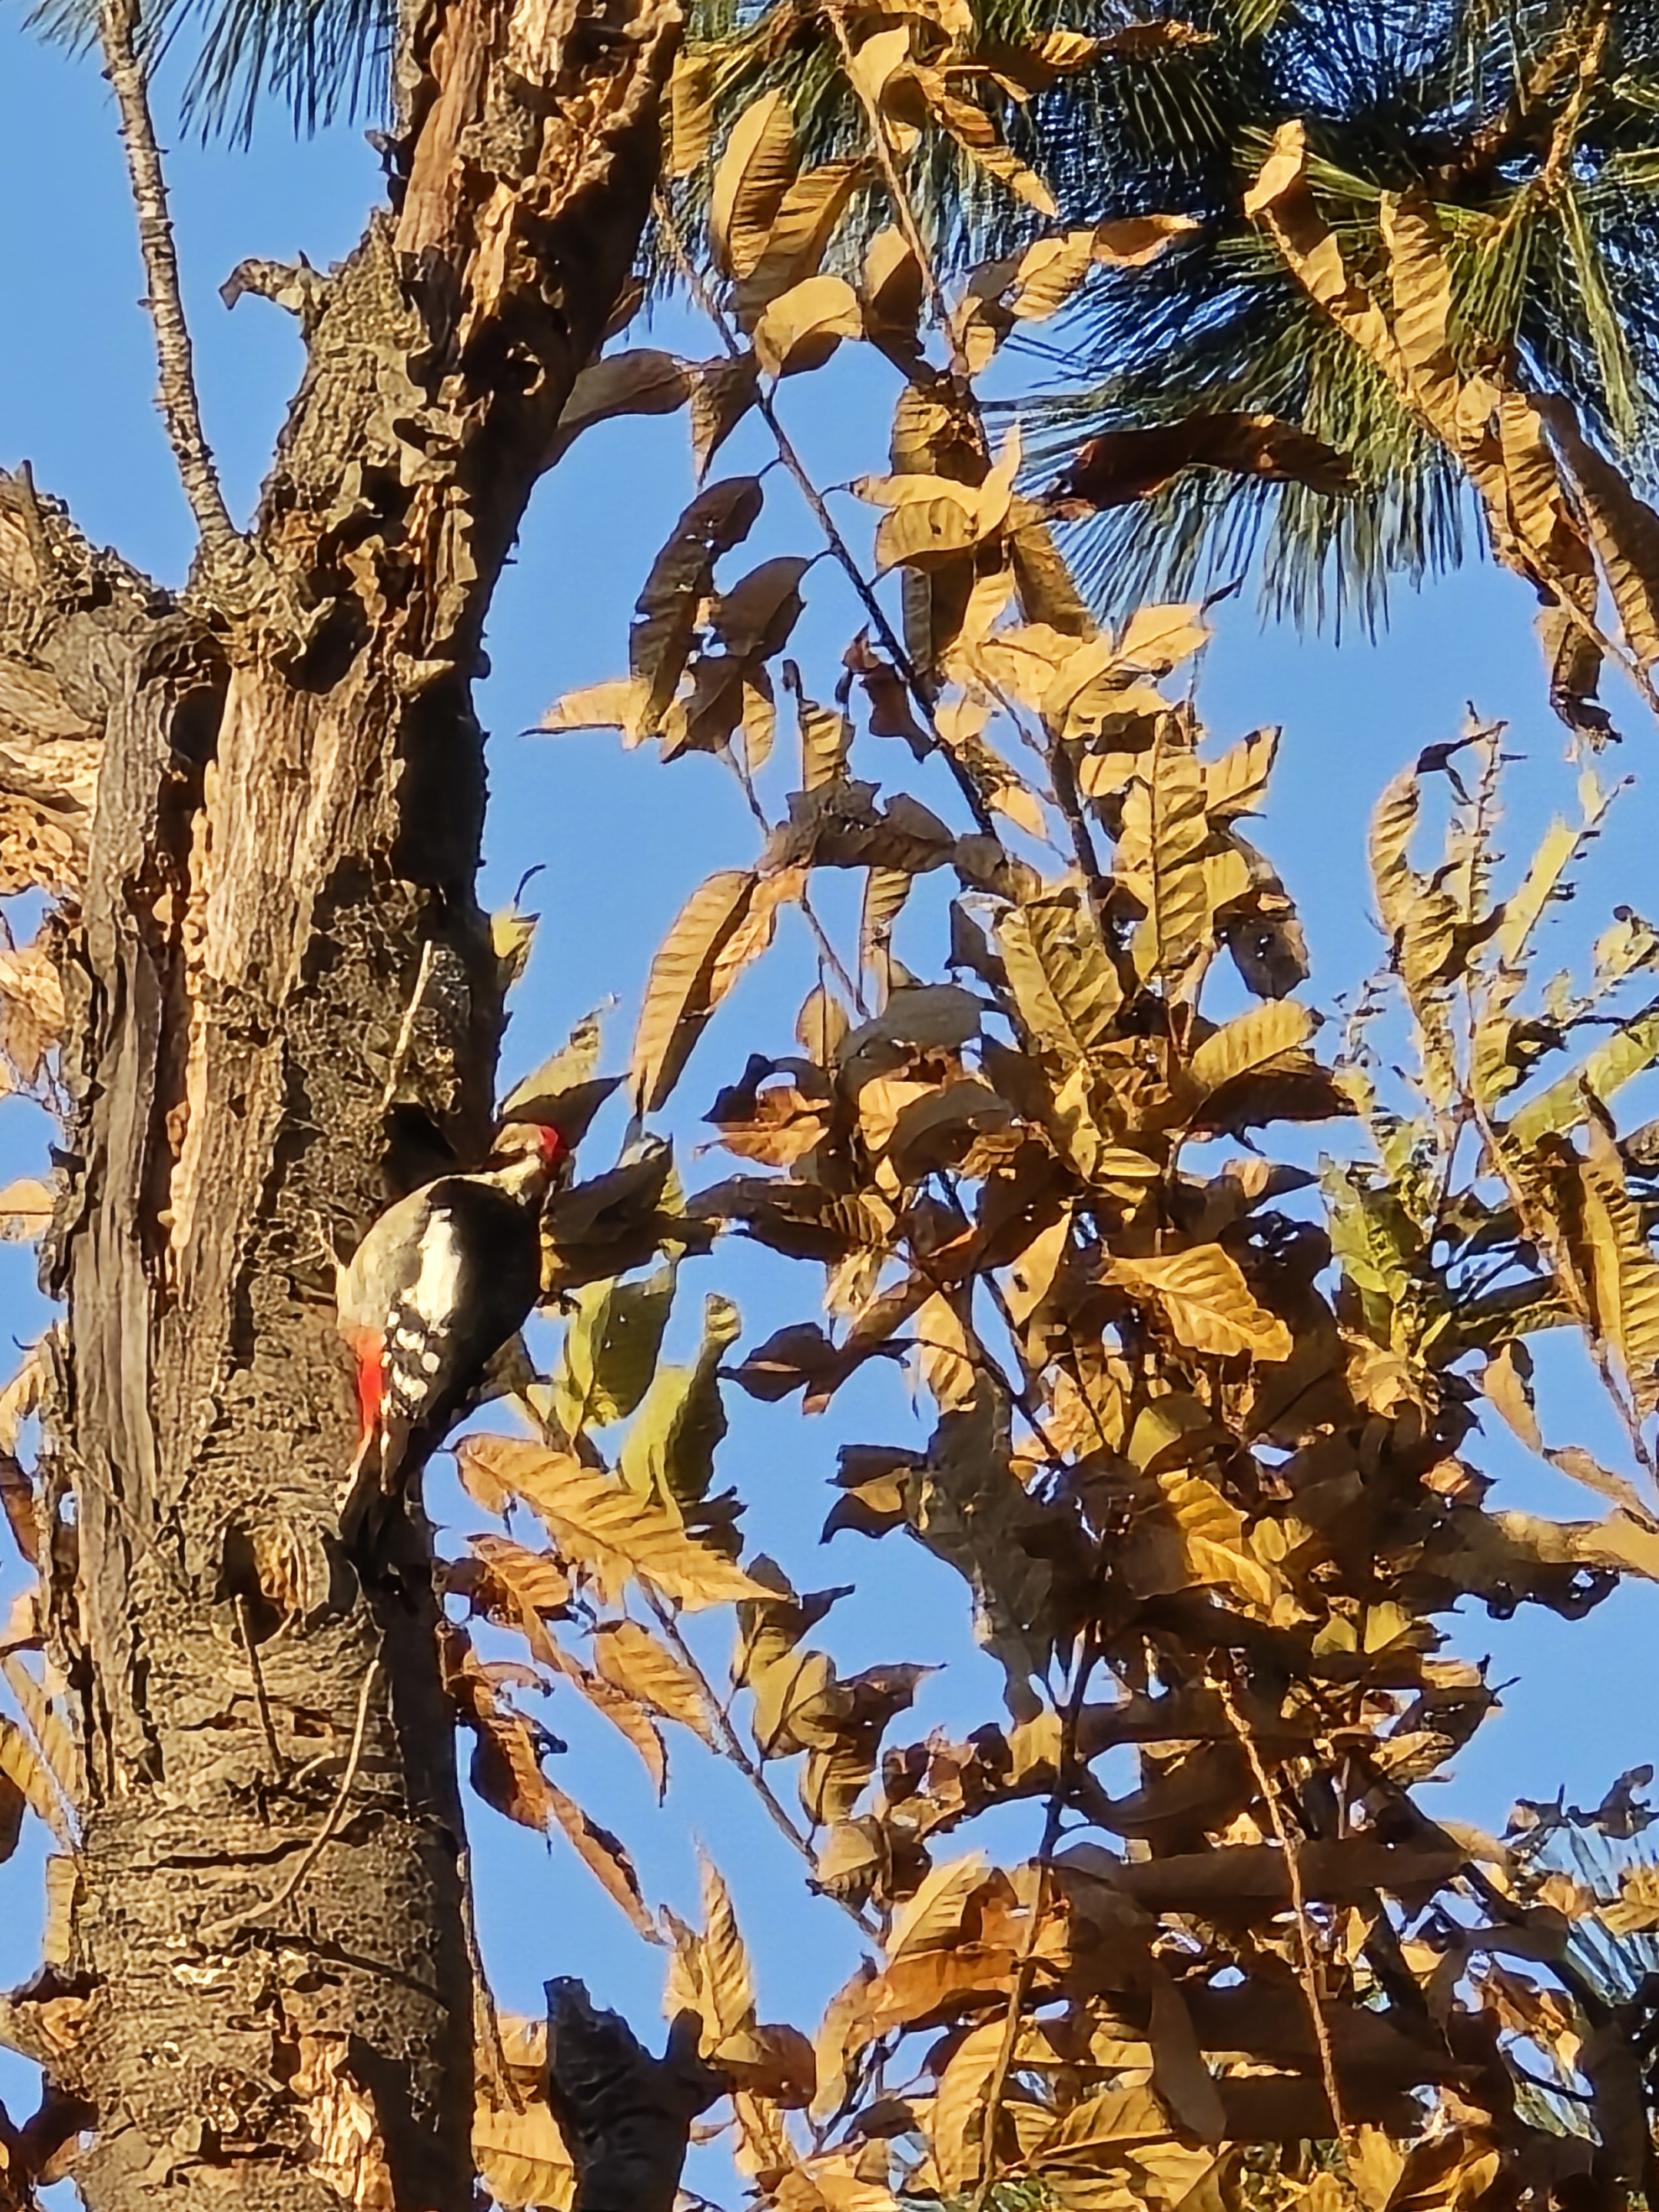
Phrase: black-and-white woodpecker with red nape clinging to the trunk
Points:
(444, 1280)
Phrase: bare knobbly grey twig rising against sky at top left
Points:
(178, 388)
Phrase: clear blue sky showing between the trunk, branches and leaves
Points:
(623, 842)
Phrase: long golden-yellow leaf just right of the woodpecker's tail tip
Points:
(605, 1527)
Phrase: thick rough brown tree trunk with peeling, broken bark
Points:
(267, 1992)
